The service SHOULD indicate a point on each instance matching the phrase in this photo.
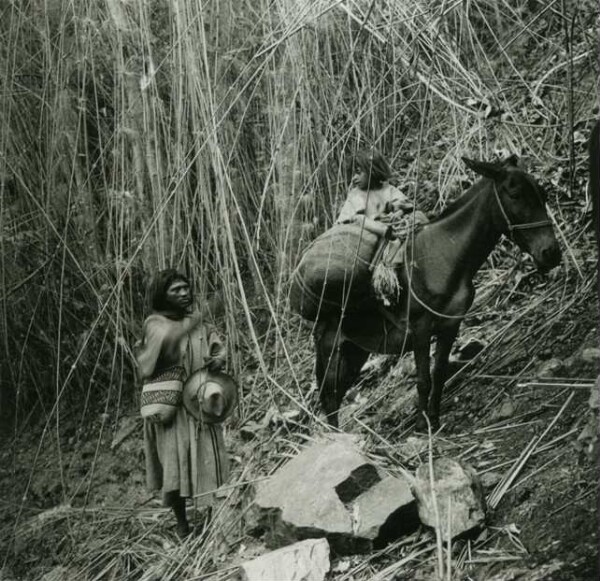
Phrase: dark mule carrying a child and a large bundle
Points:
(437, 281)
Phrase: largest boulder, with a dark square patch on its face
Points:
(331, 490)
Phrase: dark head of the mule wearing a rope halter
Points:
(520, 210)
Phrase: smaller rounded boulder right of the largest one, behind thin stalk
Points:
(457, 494)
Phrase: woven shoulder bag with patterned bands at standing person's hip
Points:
(162, 395)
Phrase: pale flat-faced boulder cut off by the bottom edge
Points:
(304, 561)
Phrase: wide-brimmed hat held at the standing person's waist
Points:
(210, 395)
